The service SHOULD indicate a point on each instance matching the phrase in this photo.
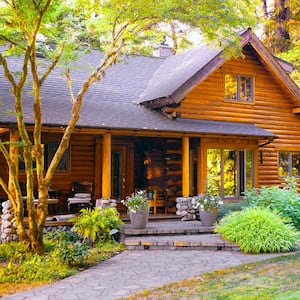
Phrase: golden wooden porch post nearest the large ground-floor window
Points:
(185, 167)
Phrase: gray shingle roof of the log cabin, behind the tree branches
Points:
(110, 102)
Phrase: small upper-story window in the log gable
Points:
(239, 88)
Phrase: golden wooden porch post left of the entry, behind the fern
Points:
(106, 166)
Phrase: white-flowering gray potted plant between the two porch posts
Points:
(138, 206)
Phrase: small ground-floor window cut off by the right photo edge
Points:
(289, 164)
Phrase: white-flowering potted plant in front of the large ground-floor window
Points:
(208, 207)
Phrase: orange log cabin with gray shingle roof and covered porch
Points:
(171, 124)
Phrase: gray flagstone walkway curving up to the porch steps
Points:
(133, 271)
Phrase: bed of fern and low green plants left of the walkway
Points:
(66, 252)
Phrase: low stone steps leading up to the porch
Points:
(174, 235)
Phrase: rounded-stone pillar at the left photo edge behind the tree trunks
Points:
(8, 228)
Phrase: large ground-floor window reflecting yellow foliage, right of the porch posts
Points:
(230, 172)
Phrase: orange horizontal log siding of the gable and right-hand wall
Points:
(272, 110)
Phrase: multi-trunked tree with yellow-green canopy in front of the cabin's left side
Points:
(58, 29)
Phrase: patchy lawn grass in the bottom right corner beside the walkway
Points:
(277, 278)
